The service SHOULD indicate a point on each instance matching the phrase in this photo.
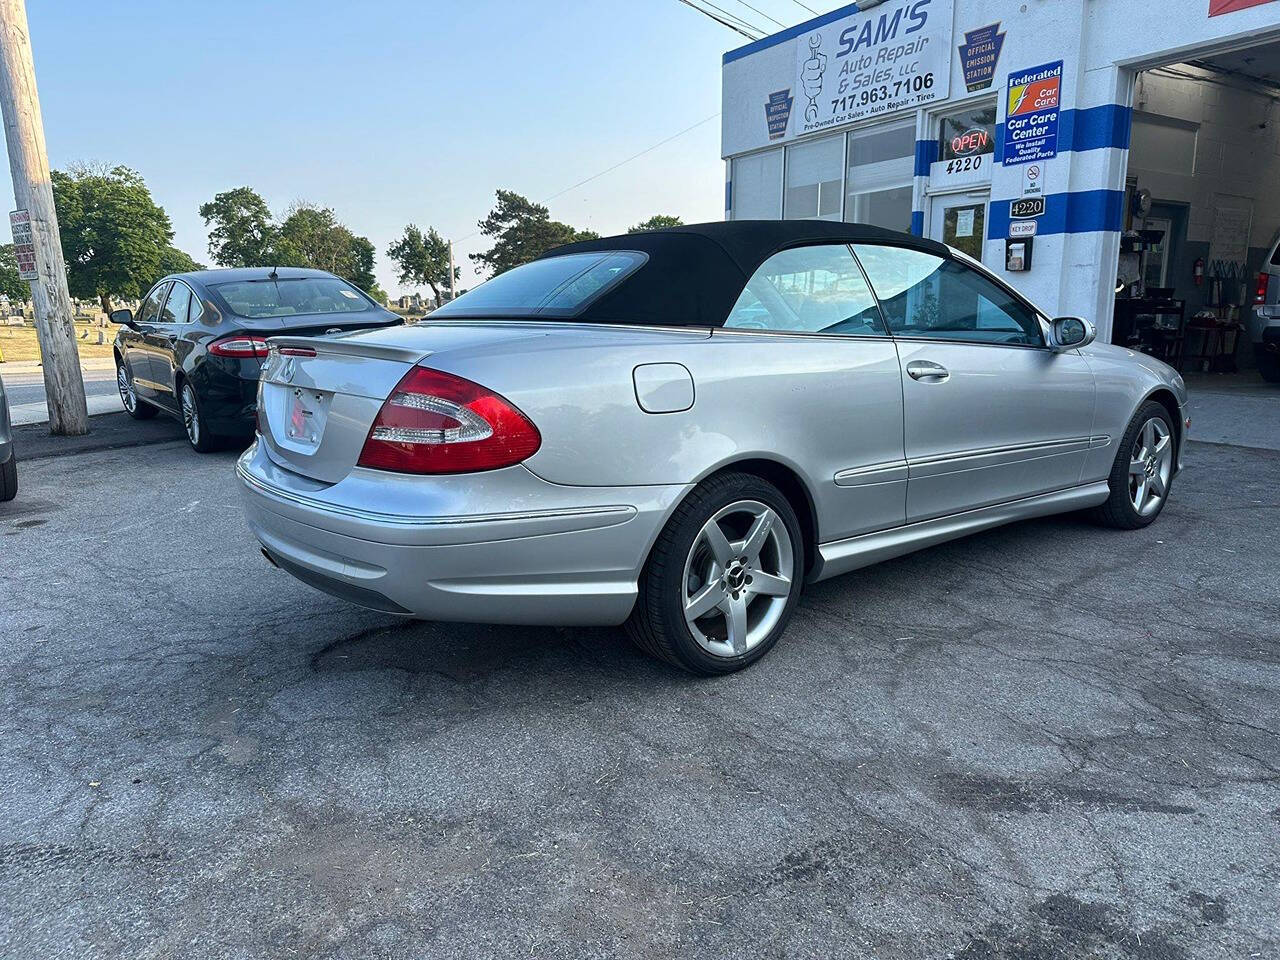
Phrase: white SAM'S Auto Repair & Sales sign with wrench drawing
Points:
(893, 57)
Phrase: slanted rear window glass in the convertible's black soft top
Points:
(554, 287)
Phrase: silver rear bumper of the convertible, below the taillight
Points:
(523, 551)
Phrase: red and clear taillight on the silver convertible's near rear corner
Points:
(437, 423)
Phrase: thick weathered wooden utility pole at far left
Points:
(33, 189)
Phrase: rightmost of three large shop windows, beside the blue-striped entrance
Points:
(879, 180)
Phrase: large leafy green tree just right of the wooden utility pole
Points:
(116, 237)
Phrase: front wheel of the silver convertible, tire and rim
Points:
(1142, 476)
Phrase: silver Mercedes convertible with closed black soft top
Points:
(678, 431)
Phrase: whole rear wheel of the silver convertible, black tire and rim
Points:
(724, 578)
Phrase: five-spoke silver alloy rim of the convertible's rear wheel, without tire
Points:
(738, 578)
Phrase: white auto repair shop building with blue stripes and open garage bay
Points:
(1054, 140)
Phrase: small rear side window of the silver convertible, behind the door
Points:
(808, 290)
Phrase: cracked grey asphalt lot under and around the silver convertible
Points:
(1044, 742)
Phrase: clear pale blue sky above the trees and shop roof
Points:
(395, 112)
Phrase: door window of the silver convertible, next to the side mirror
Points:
(944, 300)
